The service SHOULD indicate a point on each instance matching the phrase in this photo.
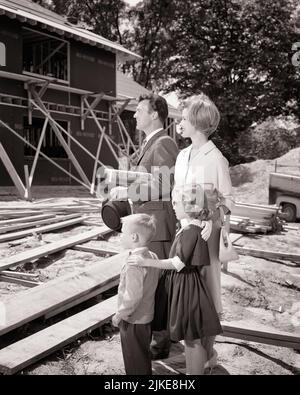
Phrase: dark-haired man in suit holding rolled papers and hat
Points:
(158, 157)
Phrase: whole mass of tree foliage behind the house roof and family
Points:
(237, 51)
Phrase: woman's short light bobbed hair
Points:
(202, 113)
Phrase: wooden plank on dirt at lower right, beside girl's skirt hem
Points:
(260, 335)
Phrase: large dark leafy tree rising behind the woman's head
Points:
(240, 55)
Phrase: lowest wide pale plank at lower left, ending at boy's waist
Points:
(43, 343)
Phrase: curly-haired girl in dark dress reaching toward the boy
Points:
(183, 302)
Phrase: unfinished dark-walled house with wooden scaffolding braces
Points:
(60, 112)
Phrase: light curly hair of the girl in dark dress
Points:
(194, 200)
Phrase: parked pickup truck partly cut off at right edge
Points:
(284, 191)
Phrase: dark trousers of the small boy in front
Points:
(135, 341)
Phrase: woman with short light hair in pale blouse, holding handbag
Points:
(203, 163)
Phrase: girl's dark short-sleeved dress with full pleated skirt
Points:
(183, 304)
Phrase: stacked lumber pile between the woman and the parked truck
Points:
(254, 218)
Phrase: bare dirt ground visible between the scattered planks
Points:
(254, 292)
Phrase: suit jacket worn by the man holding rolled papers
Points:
(160, 151)
